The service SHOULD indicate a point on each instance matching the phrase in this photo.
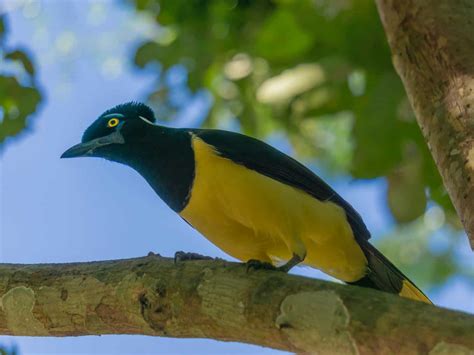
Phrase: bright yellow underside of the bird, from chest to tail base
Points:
(251, 216)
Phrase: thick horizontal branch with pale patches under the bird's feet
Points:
(220, 300)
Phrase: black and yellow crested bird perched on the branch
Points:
(251, 200)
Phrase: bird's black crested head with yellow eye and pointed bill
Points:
(114, 131)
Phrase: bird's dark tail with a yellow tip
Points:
(383, 275)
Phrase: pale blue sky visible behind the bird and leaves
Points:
(56, 210)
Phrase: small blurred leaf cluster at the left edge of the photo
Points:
(19, 93)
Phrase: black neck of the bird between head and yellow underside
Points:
(165, 159)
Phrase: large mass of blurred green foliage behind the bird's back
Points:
(319, 71)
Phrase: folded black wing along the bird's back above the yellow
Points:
(266, 160)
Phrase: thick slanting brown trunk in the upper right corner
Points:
(432, 46)
